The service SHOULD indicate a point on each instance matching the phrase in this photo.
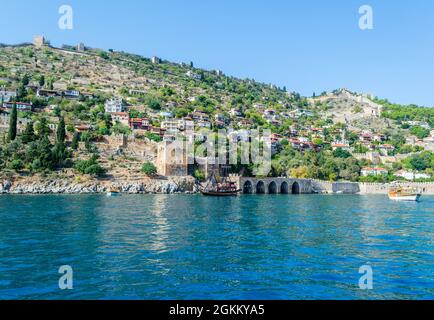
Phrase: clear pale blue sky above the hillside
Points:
(306, 45)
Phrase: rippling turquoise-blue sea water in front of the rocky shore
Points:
(194, 247)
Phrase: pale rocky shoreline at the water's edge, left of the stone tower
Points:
(163, 186)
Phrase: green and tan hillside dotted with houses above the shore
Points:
(98, 96)
